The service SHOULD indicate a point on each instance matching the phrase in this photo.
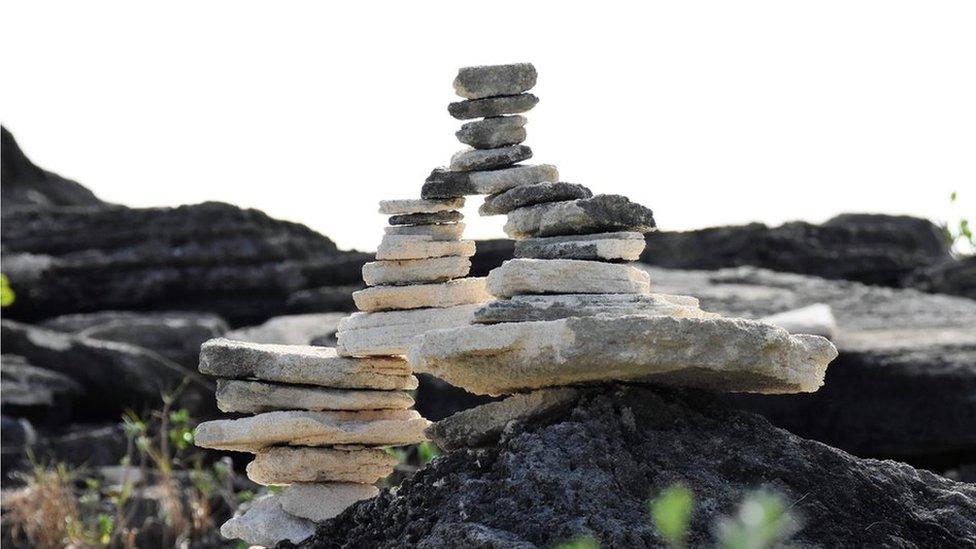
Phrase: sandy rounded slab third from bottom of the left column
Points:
(279, 465)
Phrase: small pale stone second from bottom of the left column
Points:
(318, 502)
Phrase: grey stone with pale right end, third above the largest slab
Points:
(623, 246)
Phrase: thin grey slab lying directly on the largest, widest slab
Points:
(531, 308)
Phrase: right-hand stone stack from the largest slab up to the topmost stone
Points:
(571, 309)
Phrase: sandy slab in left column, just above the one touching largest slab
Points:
(446, 294)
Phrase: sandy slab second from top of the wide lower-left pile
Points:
(234, 395)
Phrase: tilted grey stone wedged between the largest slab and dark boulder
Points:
(483, 425)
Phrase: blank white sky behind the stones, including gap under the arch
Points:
(708, 112)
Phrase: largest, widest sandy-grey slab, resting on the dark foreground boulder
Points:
(718, 354)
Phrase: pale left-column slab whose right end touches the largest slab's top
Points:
(391, 332)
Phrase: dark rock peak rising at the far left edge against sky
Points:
(25, 184)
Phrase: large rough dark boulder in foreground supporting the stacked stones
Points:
(590, 471)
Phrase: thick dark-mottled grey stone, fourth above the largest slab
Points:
(602, 213)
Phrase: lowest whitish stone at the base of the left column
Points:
(265, 523)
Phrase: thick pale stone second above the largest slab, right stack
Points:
(566, 276)
